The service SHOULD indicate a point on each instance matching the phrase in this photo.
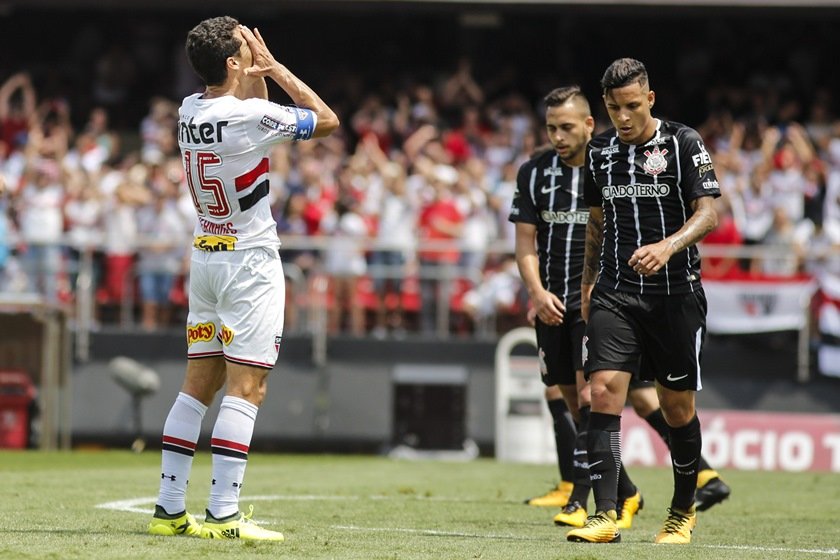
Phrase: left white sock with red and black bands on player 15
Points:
(180, 434)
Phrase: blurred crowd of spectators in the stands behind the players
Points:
(404, 209)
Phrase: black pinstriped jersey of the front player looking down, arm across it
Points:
(646, 191)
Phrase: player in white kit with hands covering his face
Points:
(235, 321)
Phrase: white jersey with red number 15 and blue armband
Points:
(225, 143)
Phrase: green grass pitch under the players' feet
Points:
(95, 505)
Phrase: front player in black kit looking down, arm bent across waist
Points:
(650, 186)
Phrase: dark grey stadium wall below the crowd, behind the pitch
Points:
(349, 403)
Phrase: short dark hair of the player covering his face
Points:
(209, 44)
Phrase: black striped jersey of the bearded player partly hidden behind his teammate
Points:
(549, 194)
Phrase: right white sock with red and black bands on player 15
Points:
(229, 444)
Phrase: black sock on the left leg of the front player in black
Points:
(603, 445)
